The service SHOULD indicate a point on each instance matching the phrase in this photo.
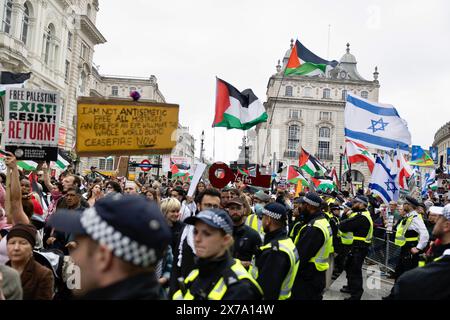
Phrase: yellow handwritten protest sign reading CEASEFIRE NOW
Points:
(122, 127)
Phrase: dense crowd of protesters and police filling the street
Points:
(147, 239)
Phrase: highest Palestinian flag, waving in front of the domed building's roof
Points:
(312, 65)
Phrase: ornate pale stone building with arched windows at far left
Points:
(55, 40)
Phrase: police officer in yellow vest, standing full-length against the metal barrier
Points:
(359, 227)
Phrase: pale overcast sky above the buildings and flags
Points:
(186, 44)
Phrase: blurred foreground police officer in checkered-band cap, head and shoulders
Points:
(114, 251)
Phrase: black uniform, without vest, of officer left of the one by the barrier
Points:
(309, 282)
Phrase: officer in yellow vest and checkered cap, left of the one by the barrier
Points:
(314, 244)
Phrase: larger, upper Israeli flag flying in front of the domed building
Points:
(375, 125)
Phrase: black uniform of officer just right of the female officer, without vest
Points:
(269, 259)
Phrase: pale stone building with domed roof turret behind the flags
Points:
(308, 112)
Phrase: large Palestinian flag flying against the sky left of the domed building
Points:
(237, 110)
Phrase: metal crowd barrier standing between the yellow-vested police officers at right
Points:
(383, 251)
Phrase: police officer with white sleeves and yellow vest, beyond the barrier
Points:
(411, 236)
